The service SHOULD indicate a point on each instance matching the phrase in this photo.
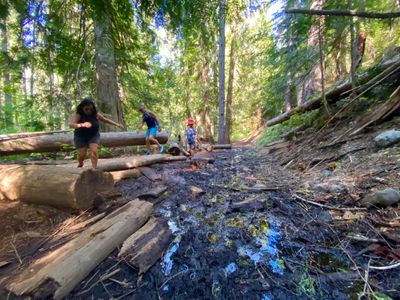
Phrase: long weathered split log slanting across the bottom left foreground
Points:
(56, 274)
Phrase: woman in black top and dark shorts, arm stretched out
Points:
(86, 134)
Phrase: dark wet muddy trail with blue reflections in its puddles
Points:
(240, 234)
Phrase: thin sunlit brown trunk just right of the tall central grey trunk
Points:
(229, 96)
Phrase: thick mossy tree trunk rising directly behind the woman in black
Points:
(109, 102)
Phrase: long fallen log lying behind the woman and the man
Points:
(64, 142)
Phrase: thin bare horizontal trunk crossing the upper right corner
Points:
(344, 13)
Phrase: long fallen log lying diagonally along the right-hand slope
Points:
(366, 80)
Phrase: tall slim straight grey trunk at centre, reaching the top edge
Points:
(221, 71)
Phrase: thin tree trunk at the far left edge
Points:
(8, 115)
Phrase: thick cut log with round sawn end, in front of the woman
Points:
(65, 188)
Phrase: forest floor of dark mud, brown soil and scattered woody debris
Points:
(247, 234)
